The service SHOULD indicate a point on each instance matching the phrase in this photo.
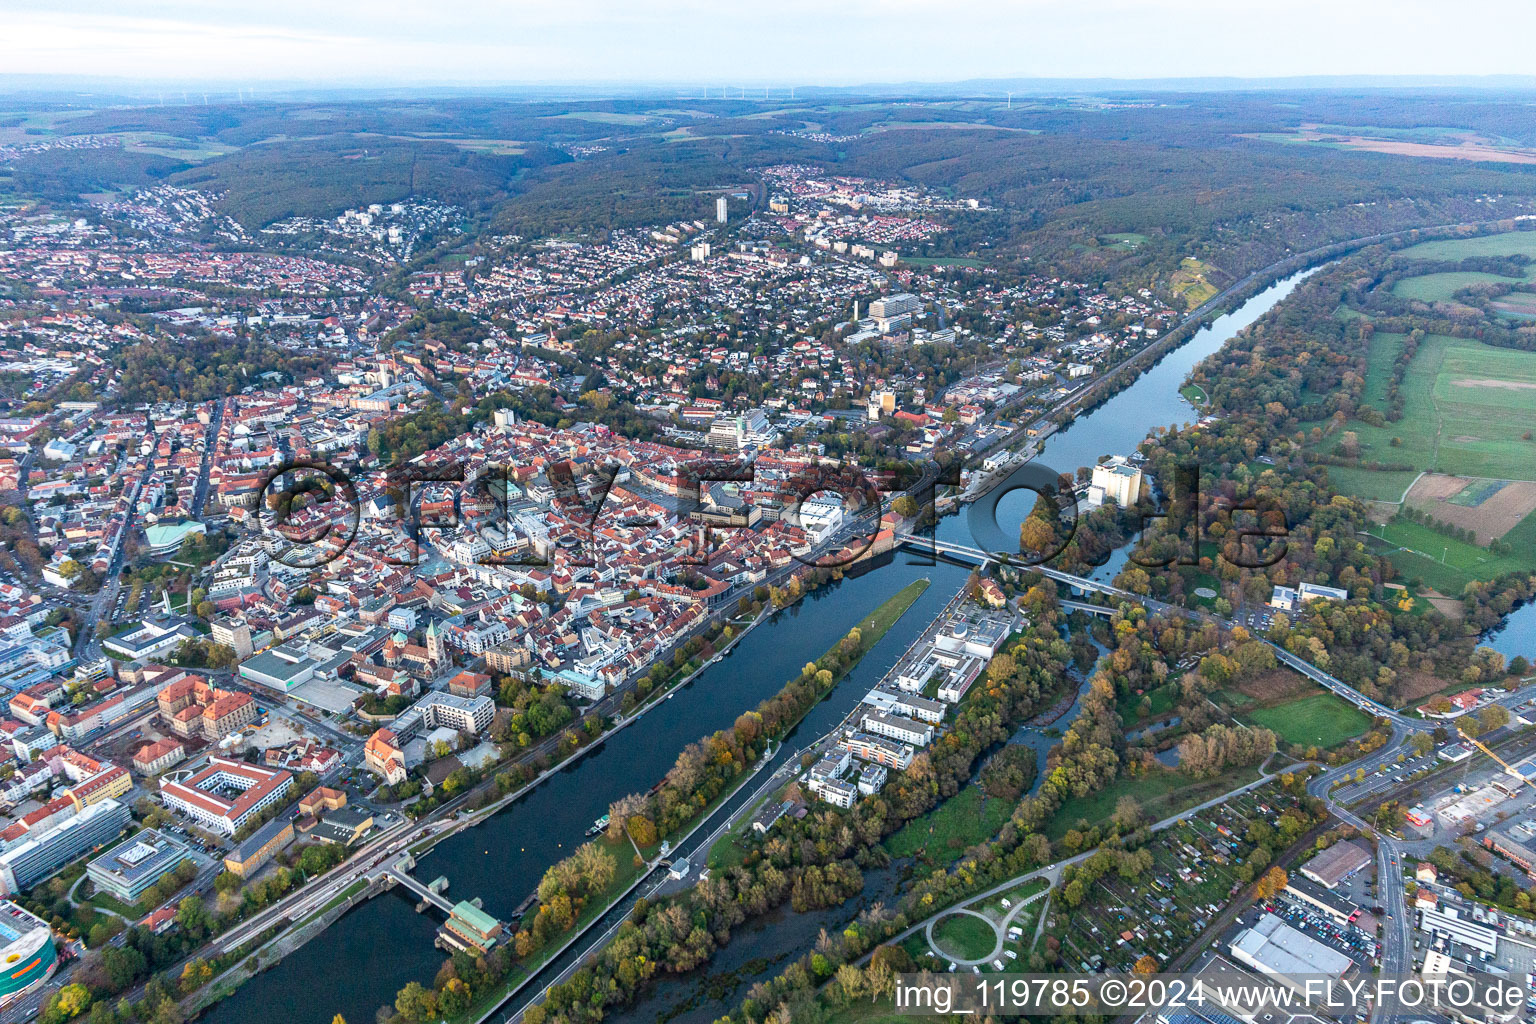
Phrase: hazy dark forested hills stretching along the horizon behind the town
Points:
(1234, 180)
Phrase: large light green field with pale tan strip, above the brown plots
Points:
(1466, 409)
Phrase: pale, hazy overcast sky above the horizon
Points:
(781, 44)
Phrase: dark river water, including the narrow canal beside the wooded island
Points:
(369, 954)
